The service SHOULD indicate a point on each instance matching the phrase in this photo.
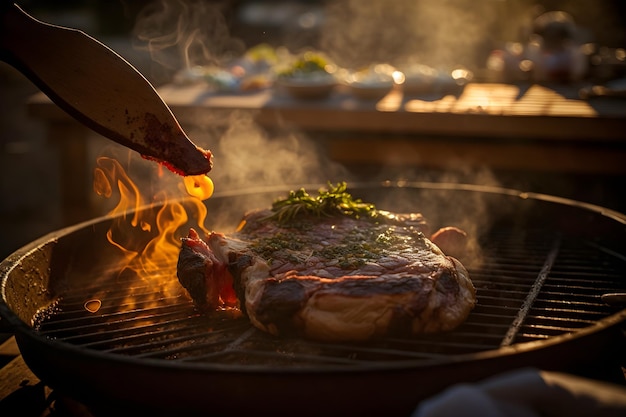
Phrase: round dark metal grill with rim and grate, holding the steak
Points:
(544, 265)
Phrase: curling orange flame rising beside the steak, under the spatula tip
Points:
(147, 231)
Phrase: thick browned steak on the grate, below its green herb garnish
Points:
(336, 278)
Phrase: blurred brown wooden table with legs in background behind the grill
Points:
(527, 127)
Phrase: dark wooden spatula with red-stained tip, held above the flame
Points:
(99, 88)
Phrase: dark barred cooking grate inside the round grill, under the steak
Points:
(528, 289)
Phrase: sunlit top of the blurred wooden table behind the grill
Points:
(529, 111)
